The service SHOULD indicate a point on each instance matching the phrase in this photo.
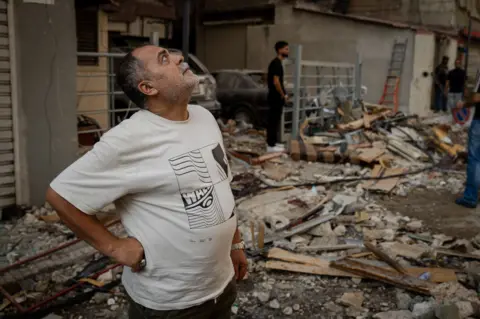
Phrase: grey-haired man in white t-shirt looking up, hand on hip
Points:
(167, 171)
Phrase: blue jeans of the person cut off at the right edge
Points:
(473, 166)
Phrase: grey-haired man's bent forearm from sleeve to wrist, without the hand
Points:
(85, 226)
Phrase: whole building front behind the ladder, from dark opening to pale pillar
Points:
(325, 36)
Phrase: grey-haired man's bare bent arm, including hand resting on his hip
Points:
(128, 251)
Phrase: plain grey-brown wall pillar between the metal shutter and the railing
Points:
(45, 45)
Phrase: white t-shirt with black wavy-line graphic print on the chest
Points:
(171, 185)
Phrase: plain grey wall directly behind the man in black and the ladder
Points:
(335, 39)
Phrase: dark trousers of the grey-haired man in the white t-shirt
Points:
(219, 308)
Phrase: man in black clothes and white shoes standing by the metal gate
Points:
(276, 96)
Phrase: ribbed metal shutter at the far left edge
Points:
(7, 171)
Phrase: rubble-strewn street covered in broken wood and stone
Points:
(357, 222)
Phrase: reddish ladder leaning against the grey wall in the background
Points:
(392, 83)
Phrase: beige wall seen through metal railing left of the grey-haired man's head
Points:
(94, 79)
